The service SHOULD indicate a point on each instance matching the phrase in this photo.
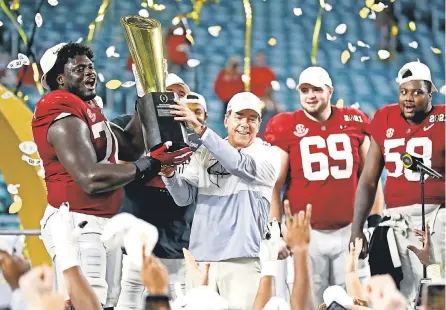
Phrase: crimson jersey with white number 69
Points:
(324, 162)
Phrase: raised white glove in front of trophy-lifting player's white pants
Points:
(66, 238)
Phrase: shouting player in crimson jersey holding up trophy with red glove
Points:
(79, 151)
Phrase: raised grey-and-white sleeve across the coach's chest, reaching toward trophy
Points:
(259, 168)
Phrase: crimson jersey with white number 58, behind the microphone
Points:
(395, 136)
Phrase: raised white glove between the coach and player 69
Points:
(269, 250)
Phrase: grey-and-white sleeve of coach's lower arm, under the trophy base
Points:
(184, 187)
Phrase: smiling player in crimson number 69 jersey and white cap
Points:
(326, 147)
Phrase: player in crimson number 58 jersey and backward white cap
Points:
(417, 127)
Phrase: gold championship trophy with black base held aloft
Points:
(144, 39)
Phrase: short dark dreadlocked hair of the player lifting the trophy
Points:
(66, 52)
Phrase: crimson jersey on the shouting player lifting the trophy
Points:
(60, 185)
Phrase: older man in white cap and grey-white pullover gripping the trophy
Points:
(231, 180)
